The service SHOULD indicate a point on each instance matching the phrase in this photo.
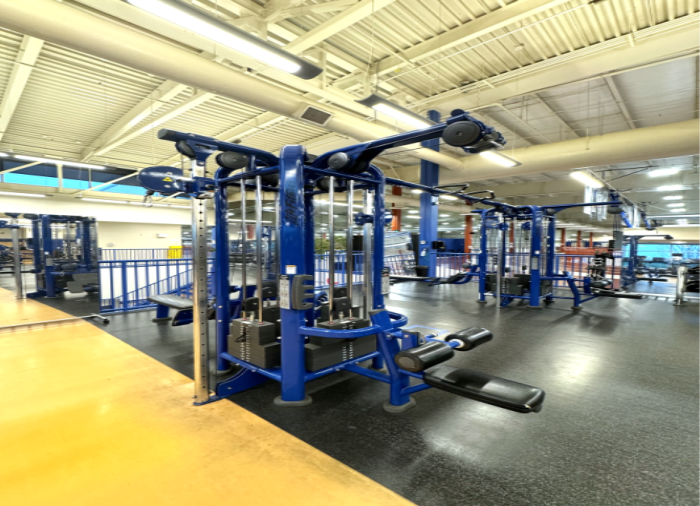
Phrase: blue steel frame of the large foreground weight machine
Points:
(296, 177)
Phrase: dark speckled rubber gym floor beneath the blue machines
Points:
(619, 426)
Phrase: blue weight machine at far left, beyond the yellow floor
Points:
(65, 254)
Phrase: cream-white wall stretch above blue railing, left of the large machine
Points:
(137, 235)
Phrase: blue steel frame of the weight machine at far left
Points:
(44, 248)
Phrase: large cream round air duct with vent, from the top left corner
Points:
(61, 24)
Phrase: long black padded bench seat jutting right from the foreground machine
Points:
(486, 388)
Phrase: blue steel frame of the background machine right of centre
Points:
(539, 270)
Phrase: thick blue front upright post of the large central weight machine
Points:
(293, 262)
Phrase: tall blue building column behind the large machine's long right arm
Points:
(429, 176)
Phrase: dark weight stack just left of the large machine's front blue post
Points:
(254, 342)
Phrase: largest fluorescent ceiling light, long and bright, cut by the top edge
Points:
(201, 23)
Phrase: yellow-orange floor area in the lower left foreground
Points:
(88, 420)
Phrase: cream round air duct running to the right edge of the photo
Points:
(664, 141)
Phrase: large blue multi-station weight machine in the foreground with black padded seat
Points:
(297, 348)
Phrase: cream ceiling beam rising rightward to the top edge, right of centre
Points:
(481, 26)
